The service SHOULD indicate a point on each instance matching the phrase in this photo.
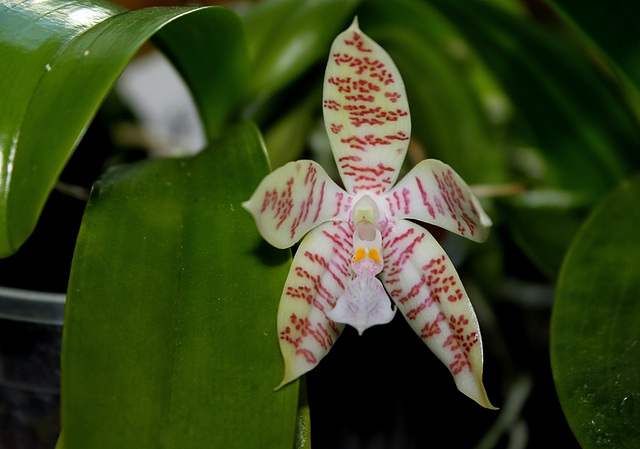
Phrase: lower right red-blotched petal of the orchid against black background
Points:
(425, 286)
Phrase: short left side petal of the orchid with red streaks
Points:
(294, 199)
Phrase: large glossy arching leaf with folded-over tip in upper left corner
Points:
(60, 59)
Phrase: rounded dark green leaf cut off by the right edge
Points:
(594, 330)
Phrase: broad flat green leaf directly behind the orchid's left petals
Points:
(170, 337)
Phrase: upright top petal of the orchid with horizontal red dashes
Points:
(366, 113)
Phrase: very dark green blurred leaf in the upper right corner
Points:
(564, 106)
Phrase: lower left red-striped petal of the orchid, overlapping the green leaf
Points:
(318, 276)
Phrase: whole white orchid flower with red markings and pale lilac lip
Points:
(359, 248)
